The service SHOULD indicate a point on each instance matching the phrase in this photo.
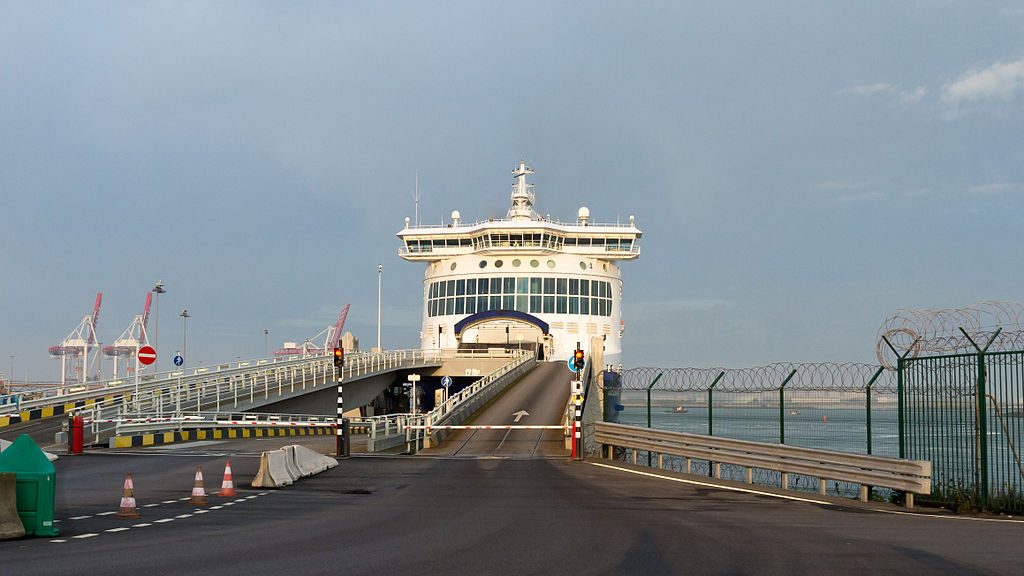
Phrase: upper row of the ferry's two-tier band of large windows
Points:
(522, 286)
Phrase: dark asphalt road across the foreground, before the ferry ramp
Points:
(488, 515)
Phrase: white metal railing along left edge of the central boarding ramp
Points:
(385, 430)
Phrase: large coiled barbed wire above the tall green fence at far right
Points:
(937, 332)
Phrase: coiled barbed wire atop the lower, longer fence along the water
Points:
(823, 377)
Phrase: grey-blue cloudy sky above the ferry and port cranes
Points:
(800, 171)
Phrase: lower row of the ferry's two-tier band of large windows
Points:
(526, 304)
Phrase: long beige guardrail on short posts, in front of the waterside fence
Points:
(913, 477)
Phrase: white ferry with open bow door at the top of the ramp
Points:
(523, 282)
